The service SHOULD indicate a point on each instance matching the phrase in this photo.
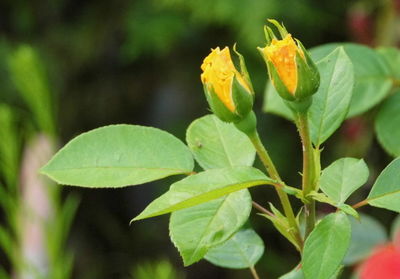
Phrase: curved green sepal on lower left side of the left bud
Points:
(218, 107)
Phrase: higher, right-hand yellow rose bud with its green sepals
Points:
(291, 70)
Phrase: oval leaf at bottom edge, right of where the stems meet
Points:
(326, 246)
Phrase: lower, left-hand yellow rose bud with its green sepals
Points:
(228, 91)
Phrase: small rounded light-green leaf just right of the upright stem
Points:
(340, 179)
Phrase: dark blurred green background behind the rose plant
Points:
(138, 62)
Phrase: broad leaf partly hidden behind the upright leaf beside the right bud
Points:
(372, 75)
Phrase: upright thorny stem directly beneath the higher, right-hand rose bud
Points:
(309, 167)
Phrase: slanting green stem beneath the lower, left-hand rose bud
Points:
(270, 167)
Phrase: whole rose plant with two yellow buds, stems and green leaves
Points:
(317, 90)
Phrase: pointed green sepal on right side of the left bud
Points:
(242, 99)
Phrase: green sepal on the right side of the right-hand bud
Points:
(307, 75)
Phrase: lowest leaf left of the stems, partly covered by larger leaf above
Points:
(242, 250)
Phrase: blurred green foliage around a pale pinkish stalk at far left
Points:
(19, 172)
